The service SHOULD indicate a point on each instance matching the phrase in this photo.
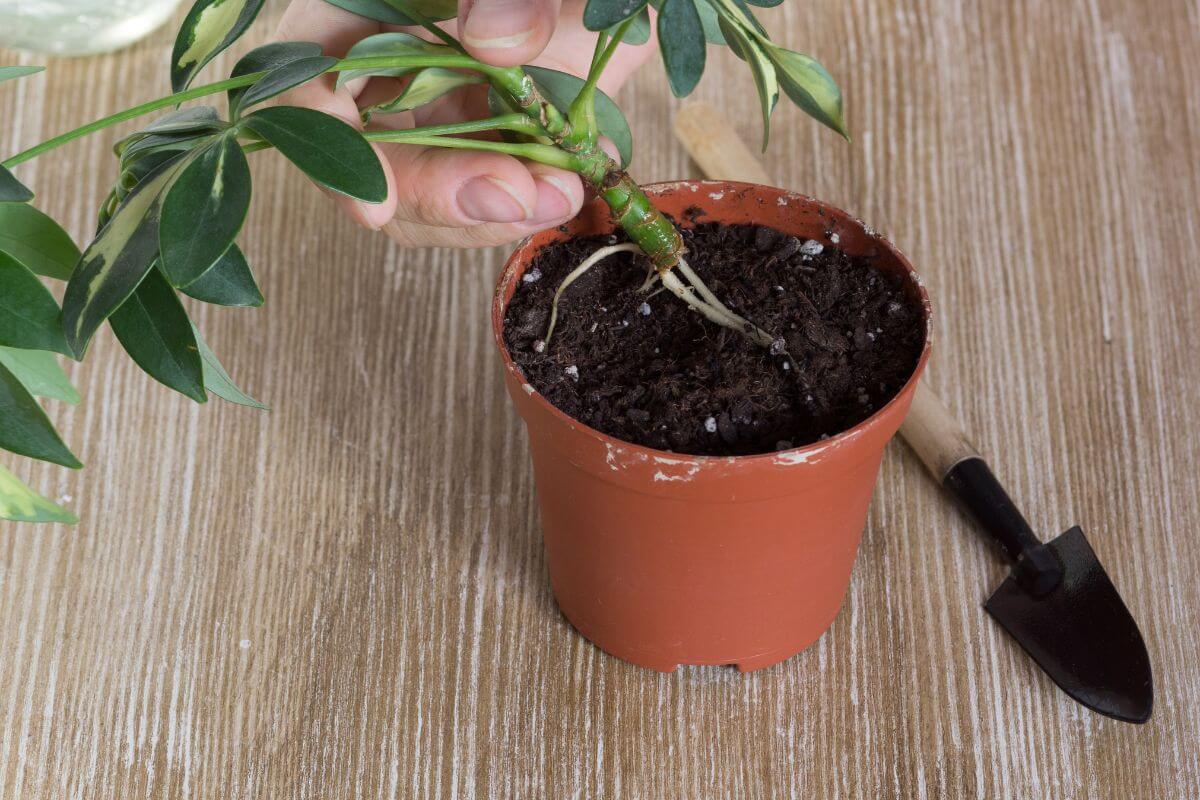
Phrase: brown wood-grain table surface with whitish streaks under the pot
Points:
(347, 597)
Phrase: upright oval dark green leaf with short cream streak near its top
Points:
(205, 210)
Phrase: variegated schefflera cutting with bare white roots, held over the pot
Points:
(169, 226)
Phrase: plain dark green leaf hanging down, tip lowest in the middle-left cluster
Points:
(154, 329)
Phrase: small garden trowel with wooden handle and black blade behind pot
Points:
(1058, 603)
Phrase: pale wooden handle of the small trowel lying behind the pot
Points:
(706, 134)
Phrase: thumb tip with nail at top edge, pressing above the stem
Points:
(507, 33)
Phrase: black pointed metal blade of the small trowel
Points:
(1081, 634)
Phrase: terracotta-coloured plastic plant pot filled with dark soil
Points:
(664, 560)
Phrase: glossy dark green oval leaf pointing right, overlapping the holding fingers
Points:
(327, 149)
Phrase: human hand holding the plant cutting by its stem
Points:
(459, 199)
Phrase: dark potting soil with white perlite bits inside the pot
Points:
(650, 371)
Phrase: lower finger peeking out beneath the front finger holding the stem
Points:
(560, 196)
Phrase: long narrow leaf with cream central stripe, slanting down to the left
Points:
(116, 262)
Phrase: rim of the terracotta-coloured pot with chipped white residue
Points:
(794, 456)
